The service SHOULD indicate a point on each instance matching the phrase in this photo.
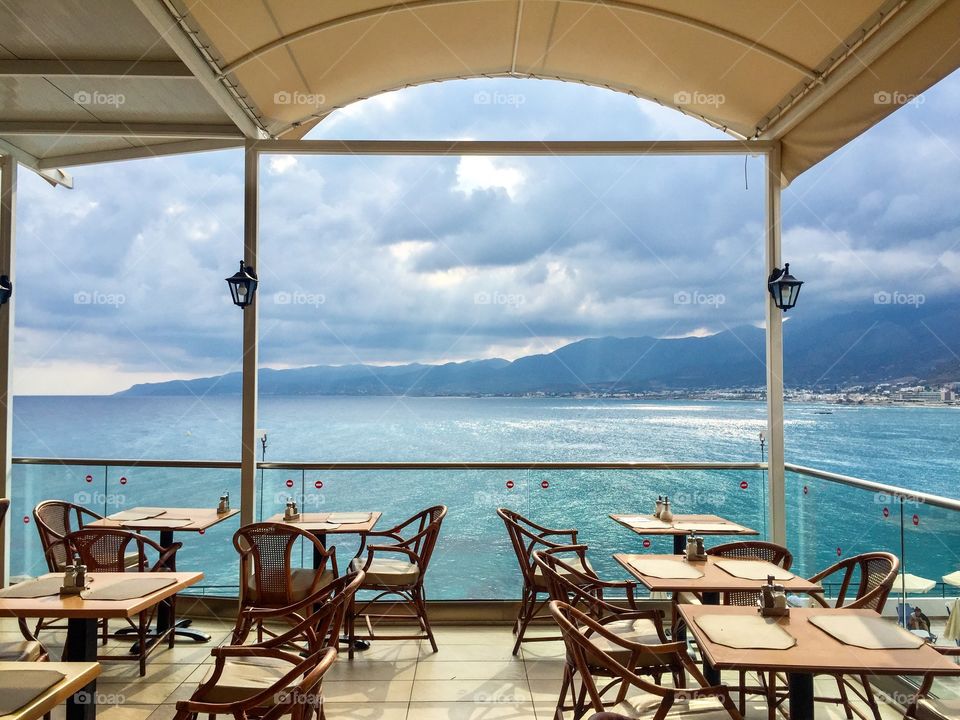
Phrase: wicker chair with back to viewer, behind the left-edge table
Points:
(110, 550)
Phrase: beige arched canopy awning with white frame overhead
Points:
(205, 75)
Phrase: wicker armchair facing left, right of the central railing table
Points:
(397, 569)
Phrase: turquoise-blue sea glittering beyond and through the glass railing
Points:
(912, 447)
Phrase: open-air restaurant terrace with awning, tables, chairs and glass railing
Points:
(675, 613)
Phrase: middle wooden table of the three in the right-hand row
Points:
(715, 581)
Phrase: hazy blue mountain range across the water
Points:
(881, 343)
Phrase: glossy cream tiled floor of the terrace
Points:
(473, 676)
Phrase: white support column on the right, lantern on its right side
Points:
(774, 322)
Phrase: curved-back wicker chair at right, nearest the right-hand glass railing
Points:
(870, 577)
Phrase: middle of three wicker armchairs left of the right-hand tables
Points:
(569, 585)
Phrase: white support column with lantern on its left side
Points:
(248, 425)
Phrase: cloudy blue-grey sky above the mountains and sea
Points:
(388, 260)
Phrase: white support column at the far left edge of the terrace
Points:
(8, 206)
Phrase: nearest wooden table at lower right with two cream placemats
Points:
(815, 652)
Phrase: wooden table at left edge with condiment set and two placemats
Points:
(82, 617)
